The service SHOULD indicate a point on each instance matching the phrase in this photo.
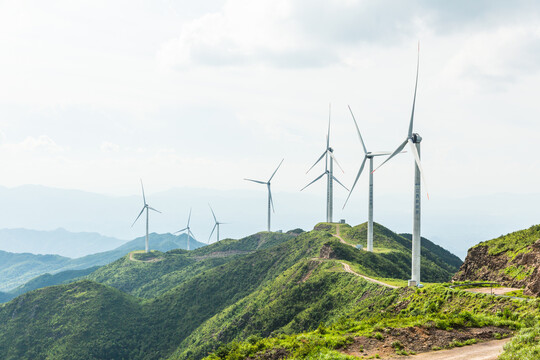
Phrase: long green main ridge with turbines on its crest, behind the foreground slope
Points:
(184, 305)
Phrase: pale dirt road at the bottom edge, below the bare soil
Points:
(489, 350)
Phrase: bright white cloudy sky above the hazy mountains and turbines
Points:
(97, 94)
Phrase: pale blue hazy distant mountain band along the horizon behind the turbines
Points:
(455, 223)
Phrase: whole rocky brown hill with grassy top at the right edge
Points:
(512, 260)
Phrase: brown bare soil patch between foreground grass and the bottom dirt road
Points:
(418, 340)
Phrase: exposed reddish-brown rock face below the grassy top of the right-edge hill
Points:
(521, 271)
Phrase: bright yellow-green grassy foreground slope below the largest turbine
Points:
(434, 306)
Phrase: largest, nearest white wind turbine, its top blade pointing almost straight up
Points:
(413, 139)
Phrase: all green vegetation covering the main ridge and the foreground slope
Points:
(281, 294)
